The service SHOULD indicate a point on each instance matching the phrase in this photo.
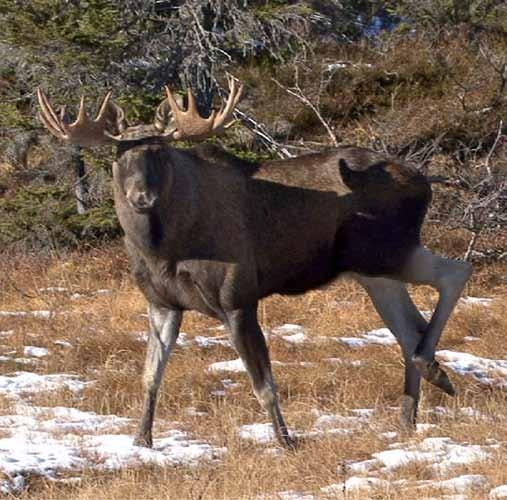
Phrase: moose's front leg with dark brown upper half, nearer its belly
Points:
(249, 342)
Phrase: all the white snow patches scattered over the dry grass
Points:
(51, 441)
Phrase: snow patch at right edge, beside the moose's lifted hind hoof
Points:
(490, 372)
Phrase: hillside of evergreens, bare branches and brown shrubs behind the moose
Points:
(422, 80)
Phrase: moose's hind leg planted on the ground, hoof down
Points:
(401, 316)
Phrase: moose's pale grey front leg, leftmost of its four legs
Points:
(164, 330)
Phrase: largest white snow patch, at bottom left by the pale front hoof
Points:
(48, 441)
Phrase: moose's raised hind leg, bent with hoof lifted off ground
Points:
(449, 278)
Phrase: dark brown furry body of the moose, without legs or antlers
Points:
(227, 232)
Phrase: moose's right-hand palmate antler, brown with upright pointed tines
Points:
(190, 124)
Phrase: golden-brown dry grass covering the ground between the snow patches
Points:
(101, 328)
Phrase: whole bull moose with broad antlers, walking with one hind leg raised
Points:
(209, 232)
